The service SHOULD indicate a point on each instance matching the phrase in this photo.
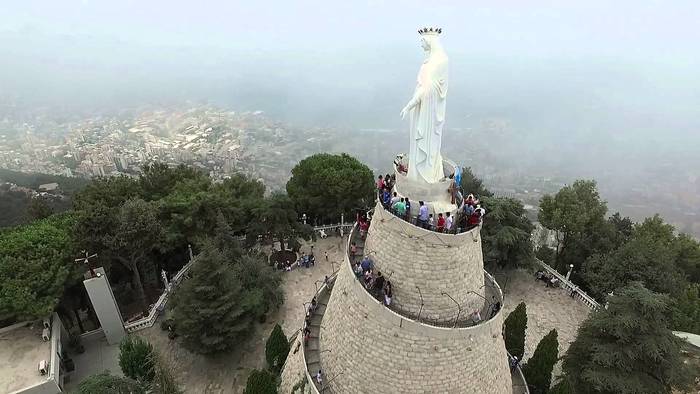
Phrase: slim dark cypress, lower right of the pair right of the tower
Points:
(538, 370)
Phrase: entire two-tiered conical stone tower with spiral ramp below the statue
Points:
(426, 341)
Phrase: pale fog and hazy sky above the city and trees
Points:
(601, 90)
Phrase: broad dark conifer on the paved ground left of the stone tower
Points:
(212, 309)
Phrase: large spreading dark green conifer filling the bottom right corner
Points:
(628, 347)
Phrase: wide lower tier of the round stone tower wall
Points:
(365, 347)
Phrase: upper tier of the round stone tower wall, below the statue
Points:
(410, 256)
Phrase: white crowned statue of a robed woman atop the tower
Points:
(426, 111)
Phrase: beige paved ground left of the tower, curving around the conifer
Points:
(228, 373)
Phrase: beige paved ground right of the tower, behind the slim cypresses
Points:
(547, 308)
